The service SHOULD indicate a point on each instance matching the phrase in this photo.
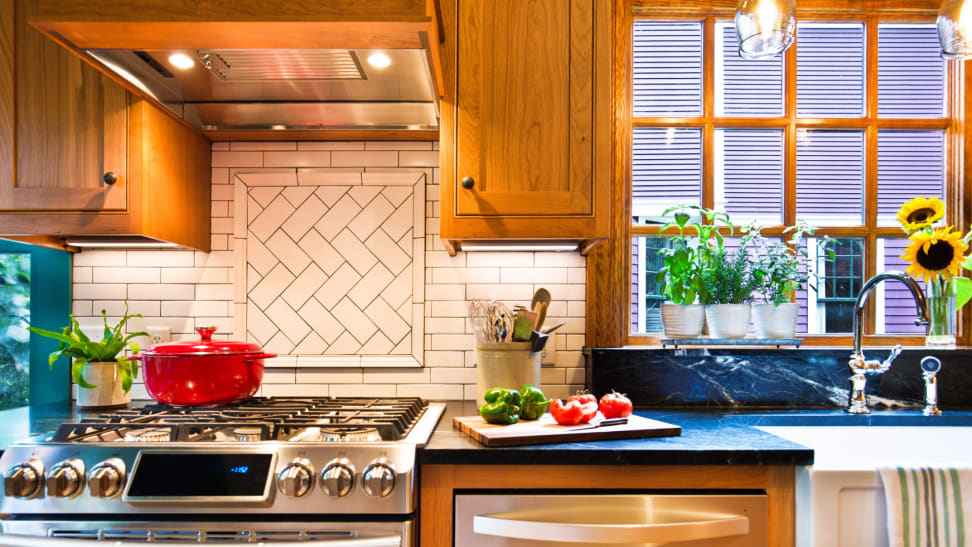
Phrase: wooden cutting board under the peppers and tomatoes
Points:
(547, 431)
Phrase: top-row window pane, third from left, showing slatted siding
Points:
(830, 70)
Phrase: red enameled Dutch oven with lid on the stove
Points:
(202, 372)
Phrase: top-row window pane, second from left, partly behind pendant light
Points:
(746, 87)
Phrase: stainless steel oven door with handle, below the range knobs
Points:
(28, 533)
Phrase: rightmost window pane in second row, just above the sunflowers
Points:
(910, 164)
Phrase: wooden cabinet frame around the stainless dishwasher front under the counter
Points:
(440, 482)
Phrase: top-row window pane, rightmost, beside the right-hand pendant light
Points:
(911, 72)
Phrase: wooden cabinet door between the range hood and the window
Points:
(524, 121)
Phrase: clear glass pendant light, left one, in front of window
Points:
(765, 27)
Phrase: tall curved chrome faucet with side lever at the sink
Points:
(858, 363)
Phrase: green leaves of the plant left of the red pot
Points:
(82, 350)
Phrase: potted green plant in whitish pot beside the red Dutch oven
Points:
(102, 371)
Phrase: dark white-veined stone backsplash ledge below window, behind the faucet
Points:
(794, 378)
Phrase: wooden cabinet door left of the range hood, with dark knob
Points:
(71, 129)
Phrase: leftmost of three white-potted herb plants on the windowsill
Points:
(680, 277)
